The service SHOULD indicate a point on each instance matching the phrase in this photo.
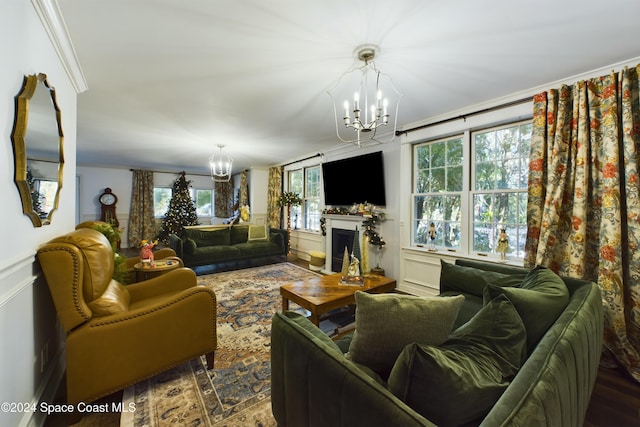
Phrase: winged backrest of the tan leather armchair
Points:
(78, 267)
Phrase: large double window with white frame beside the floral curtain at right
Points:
(470, 187)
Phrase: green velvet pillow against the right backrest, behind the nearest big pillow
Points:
(540, 299)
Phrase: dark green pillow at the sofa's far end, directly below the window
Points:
(473, 280)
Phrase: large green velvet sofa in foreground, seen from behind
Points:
(314, 384)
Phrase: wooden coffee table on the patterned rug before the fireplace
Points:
(323, 294)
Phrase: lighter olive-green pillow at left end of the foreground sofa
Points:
(386, 323)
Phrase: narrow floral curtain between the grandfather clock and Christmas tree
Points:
(142, 223)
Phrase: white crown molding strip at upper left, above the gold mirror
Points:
(51, 17)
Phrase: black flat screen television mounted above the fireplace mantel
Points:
(354, 180)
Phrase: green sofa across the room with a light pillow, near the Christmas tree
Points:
(199, 246)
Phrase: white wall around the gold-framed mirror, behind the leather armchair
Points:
(28, 326)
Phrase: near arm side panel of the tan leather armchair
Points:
(111, 352)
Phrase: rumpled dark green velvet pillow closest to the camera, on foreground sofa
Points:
(460, 381)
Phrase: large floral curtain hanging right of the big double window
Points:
(583, 213)
